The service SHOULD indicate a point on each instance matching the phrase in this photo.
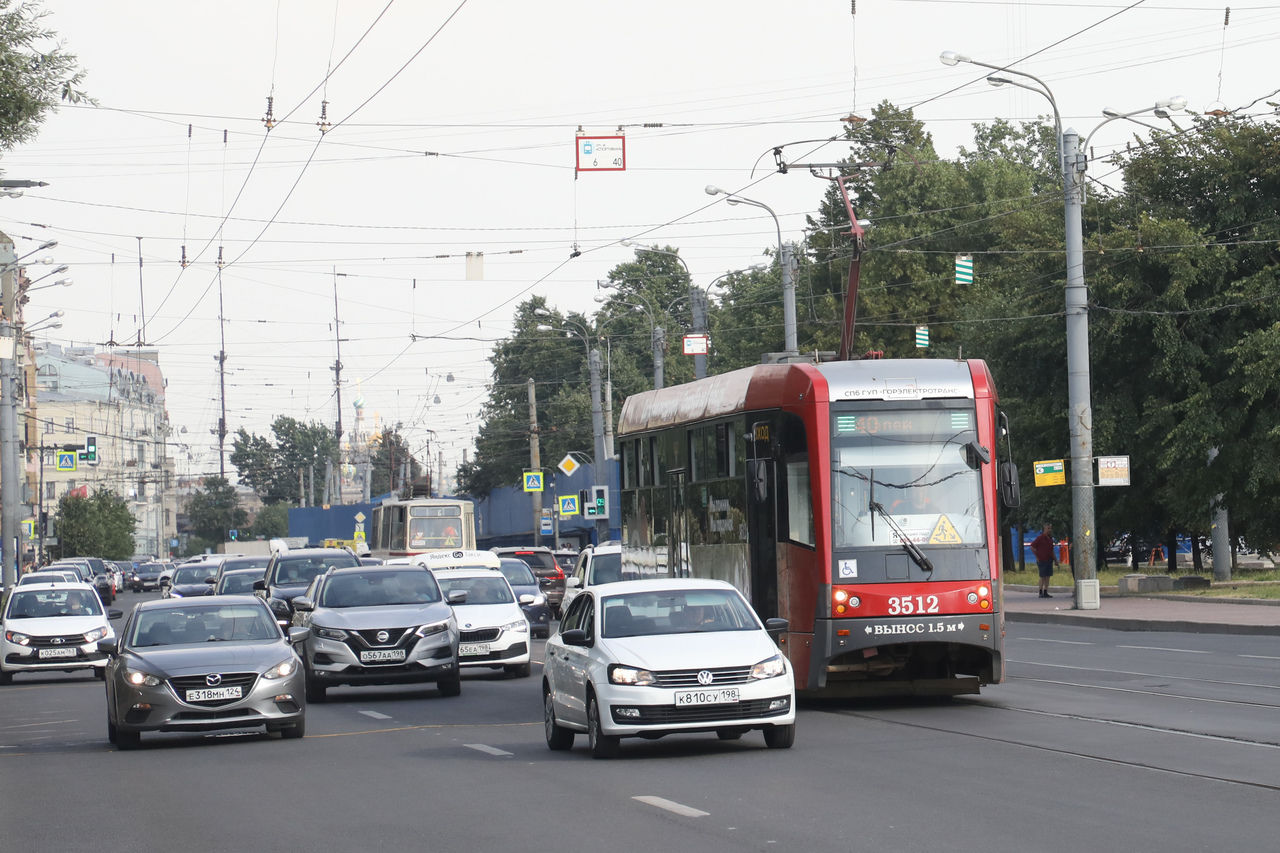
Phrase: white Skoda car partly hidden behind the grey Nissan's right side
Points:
(492, 628)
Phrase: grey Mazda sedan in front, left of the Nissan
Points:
(202, 665)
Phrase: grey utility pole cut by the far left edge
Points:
(8, 416)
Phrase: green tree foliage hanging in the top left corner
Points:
(36, 74)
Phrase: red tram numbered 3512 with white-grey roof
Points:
(858, 500)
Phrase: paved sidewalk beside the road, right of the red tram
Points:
(1146, 613)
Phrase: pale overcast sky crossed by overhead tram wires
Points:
(452, 131)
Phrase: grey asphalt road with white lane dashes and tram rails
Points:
(1099, 740)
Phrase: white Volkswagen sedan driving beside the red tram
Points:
(647, 659)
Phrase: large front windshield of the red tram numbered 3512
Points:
(920, 467)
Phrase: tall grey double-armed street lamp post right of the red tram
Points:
(1073, 165)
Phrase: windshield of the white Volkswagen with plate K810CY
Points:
(678, 612)
